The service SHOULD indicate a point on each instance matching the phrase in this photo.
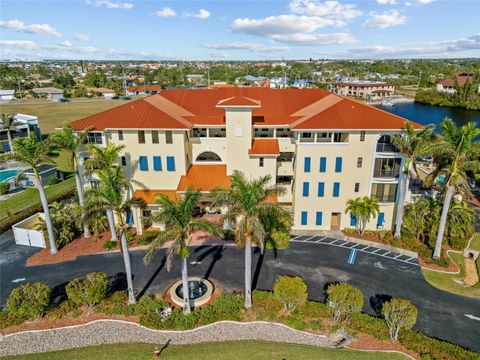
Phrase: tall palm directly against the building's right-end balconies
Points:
(410, 144)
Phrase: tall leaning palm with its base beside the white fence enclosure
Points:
(33, 154)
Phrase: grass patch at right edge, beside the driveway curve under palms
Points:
(446, 281)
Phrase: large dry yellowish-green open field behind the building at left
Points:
(51, 116)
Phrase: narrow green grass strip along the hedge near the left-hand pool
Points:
(30, 196)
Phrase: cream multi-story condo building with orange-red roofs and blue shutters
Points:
(325, 149)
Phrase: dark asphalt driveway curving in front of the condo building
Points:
(441, 314)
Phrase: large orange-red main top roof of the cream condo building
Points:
(184, 108)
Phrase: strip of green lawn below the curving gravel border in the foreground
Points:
(237, 350)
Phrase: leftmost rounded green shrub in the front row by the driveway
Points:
(30, 300)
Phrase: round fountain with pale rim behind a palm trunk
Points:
(200, 291)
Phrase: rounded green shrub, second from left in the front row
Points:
(88, 290)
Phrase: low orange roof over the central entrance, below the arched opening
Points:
(204, 178)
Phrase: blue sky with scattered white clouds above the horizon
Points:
(238, 30)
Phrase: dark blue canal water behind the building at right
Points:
(428, 114)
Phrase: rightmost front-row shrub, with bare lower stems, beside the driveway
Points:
(399, 314)
